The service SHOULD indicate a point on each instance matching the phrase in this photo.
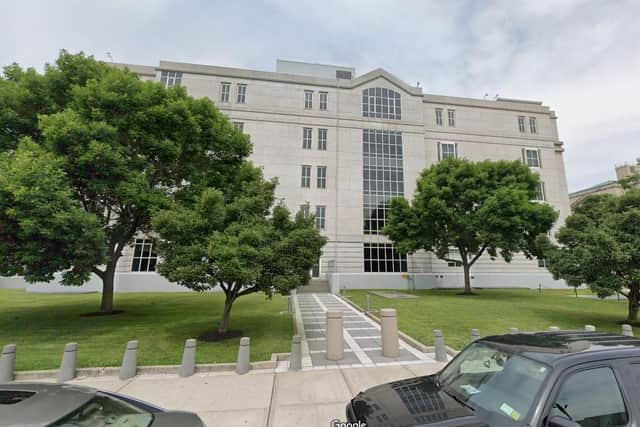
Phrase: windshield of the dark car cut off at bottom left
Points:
(103, 411)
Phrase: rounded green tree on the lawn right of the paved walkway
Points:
(472, 207)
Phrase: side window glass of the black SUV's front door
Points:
(591, 398)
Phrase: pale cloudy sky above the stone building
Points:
(579, 57)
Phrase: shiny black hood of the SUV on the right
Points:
(411, 402)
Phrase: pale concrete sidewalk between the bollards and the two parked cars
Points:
(263, 398)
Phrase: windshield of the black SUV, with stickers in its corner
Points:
(495, 380)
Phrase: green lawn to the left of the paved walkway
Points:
(41, 324)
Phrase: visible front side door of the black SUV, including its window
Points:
(590, 395)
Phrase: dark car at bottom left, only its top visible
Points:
(66, 405)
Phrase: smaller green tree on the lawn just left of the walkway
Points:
(238, 240)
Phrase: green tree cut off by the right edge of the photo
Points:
(599, 246)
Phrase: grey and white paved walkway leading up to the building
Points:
(361, 335)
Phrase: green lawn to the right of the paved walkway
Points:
(495, 311)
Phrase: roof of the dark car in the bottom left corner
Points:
(40, 403)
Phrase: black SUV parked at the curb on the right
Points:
(555, 379)
